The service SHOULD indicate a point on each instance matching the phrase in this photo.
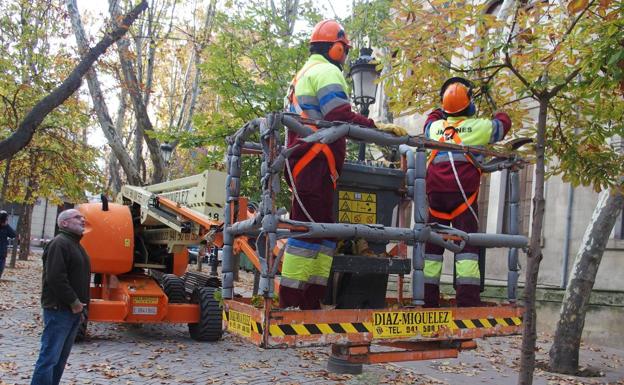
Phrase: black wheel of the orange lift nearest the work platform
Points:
(210, 325)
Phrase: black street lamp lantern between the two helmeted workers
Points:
(364, 75)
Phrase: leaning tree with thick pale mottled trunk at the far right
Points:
(605, 65)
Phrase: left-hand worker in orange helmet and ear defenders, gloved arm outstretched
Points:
(318, 91)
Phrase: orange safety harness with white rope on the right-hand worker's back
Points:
(450, 133)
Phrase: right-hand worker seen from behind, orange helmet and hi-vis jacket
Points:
(453, 186)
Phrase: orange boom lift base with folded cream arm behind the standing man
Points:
(138, 250)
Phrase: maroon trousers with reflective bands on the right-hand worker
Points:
(467, 274)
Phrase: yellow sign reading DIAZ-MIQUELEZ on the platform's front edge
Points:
(408, 324)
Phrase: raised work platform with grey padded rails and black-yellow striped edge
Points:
(365, 327)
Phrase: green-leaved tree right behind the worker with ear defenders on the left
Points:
(248, 66)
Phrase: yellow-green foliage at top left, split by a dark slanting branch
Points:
(57, 163)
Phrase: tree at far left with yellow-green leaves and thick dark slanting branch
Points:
(46, 159)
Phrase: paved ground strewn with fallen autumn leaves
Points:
(165, 354)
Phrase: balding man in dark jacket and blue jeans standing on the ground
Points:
(64, 295)
